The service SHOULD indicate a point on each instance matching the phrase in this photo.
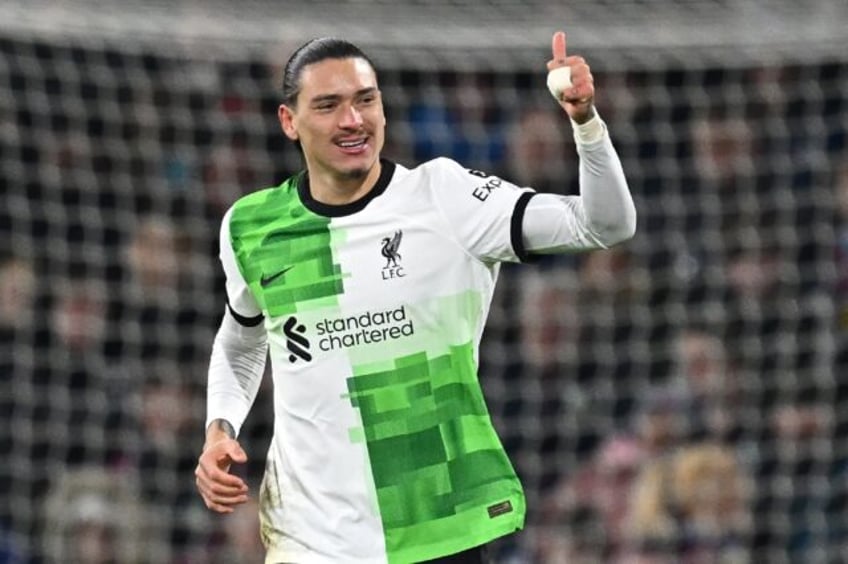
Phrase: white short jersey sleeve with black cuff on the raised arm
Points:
(485, 212)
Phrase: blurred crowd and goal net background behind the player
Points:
(678, 399)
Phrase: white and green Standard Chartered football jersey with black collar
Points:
(383, 449)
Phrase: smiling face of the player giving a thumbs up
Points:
(338, 118)
